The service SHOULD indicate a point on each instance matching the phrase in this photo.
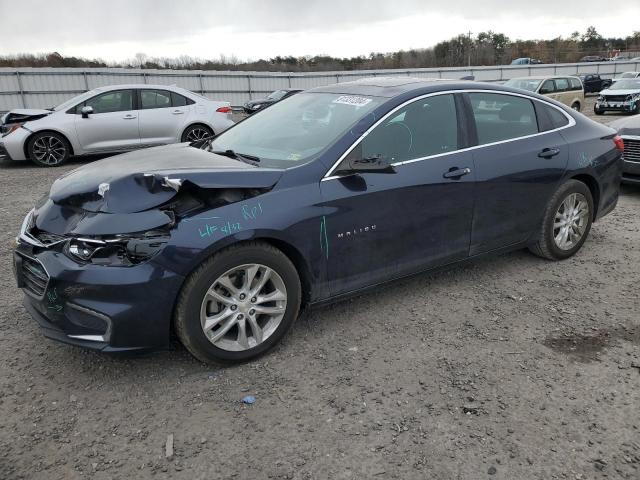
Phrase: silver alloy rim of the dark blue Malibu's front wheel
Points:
(243, 307)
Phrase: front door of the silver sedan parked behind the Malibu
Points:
(113, 125)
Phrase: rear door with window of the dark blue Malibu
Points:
(518, 167)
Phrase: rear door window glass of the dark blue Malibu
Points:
(502, 117)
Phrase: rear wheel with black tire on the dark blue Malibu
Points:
(546, 245)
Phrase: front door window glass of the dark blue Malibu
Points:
(425, 127)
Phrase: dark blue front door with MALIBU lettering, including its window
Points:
(383, 225)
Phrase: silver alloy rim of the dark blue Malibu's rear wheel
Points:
(570, 221)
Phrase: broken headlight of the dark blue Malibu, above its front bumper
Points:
(121, 250)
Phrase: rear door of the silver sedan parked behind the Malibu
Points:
(162, 116)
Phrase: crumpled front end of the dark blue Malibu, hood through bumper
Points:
(96, 257)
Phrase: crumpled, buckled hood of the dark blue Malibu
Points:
(141, 180)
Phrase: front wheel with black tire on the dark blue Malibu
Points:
(195, 304)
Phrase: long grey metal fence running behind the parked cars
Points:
(44, 87)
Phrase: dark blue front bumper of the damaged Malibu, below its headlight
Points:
(99, 307)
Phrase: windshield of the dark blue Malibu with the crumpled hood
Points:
(297, 129)
